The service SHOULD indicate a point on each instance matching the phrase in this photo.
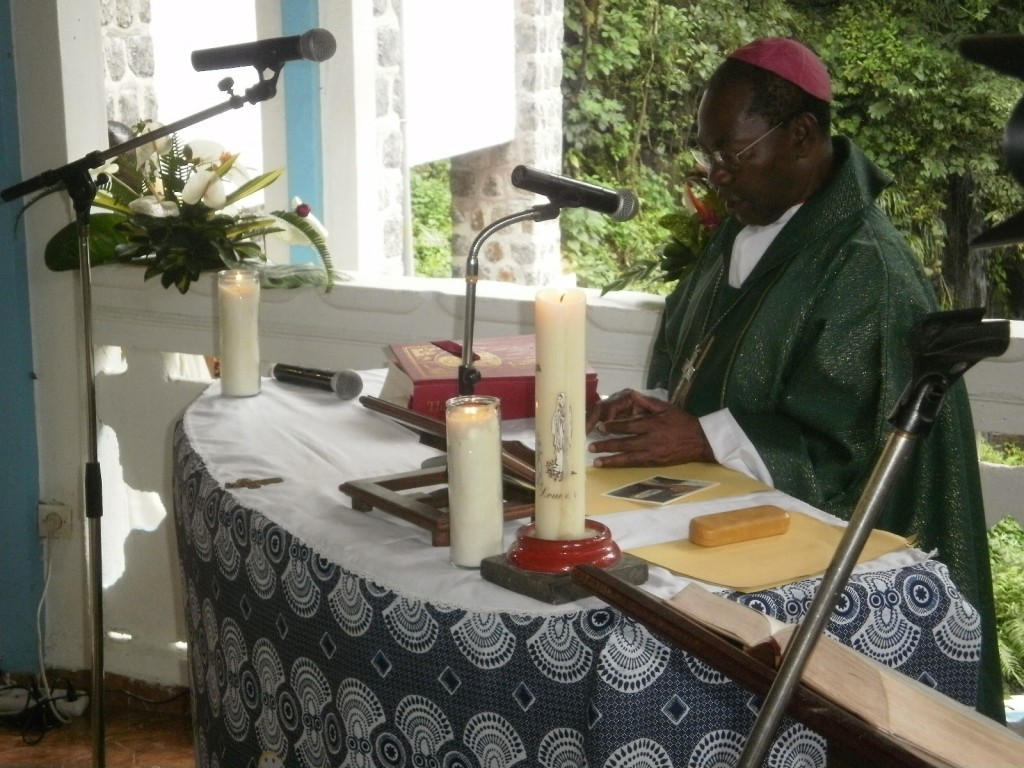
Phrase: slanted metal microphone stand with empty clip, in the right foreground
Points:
(944, 346)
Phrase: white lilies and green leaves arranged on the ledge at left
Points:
(170, 211)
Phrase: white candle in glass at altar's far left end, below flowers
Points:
(238, 297)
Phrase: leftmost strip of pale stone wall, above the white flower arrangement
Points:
(129, 61)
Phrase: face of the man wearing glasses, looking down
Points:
(760, 186)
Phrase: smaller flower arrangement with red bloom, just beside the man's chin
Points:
(690, 232)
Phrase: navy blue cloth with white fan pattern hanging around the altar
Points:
(297, 662)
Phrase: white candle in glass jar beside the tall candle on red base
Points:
(474, 425)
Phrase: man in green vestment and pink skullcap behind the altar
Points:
(785, 351)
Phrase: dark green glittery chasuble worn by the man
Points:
(810, 357)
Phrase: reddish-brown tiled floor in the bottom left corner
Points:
(136, 739)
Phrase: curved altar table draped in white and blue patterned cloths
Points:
(323, 636)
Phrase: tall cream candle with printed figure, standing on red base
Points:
(562, 418)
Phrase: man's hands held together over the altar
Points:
(650, 433)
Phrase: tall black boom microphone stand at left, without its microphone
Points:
(81, 187)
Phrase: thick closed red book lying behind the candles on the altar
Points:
(423, 376)
